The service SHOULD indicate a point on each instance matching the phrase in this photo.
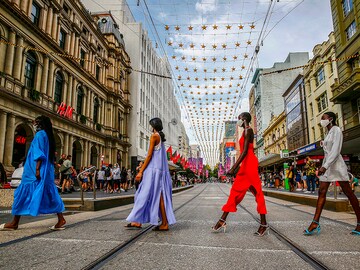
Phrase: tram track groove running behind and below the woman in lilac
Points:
(108, 256)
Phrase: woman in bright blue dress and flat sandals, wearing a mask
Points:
(37, 193)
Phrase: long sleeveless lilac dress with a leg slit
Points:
(156, 180)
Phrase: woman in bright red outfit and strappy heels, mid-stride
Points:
(247, 178)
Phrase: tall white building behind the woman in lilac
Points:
(151, 96)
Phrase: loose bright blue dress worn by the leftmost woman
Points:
(34, 197)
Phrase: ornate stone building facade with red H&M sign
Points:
(59, 61)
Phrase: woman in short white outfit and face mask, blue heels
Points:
(333, 169)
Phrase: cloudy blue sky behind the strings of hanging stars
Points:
(210, 44)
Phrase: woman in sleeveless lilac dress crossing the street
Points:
(153, 199)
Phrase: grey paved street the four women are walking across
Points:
(190, 243)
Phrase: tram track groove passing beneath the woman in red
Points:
(297, 249)
